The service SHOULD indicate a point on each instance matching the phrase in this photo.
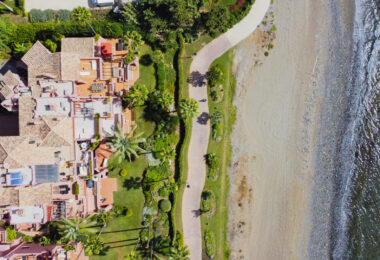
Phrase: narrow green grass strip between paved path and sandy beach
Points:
(218, 222)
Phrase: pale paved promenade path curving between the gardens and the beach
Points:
(201, 126)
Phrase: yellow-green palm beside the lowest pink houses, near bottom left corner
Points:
(76, 229)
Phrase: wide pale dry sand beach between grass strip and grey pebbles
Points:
(278, 100)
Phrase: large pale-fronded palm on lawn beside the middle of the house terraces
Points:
(126, 145)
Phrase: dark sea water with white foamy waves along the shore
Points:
(356, 206)
